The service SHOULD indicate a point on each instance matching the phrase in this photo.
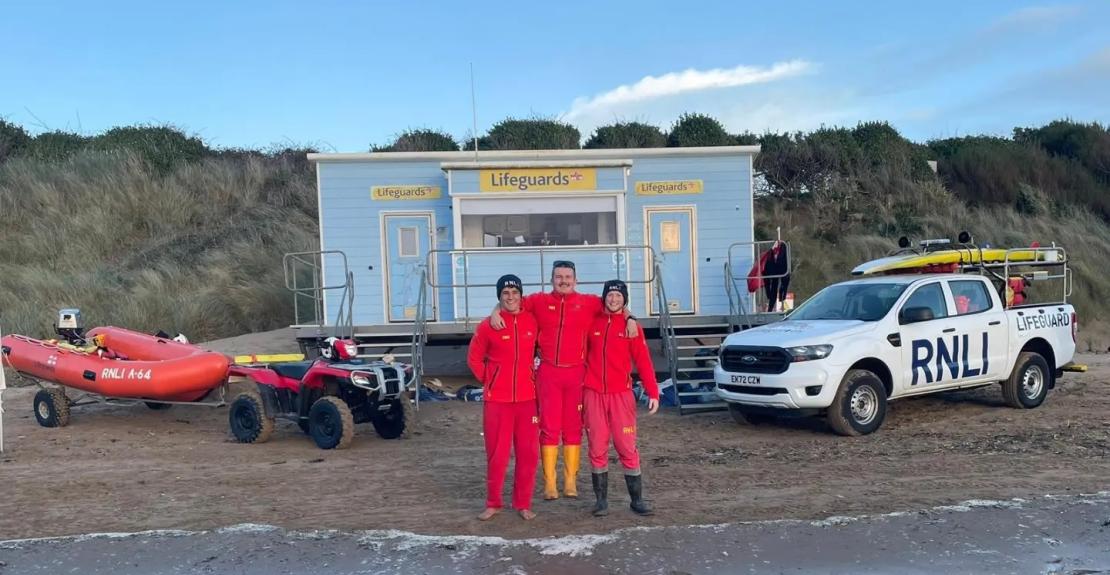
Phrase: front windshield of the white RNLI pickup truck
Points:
(869, 302)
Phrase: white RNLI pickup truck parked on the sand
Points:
(857, 345)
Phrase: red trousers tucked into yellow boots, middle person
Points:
(560, 403)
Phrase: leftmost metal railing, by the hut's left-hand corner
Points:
(305, 278)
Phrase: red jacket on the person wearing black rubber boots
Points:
(612, 355)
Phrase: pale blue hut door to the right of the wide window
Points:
(671, 234)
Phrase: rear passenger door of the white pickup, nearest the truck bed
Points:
(982, 329)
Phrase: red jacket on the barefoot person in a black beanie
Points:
(504, 361)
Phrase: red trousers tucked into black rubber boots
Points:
(612, 416)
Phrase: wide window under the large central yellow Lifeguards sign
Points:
(540, 221)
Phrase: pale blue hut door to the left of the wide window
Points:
(408, 238)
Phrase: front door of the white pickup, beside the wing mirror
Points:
(923, 319)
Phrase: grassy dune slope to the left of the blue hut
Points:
(196, 251)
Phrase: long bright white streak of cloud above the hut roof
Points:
(614, 102)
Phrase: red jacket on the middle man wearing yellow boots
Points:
(563, 322)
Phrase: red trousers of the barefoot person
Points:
(511, 427)
